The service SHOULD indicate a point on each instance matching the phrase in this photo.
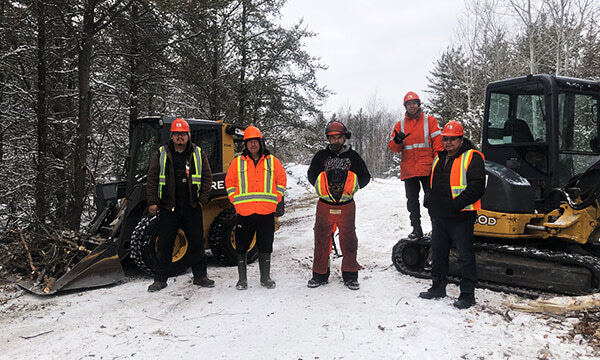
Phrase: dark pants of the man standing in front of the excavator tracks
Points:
(445, 233)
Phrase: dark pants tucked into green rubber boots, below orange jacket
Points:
(261, 225)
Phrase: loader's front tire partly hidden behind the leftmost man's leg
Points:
(143, 247)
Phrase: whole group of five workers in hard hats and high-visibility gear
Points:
(444, 163)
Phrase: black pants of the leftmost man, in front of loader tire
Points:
(169, 223)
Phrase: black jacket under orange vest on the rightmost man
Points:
(439, 200)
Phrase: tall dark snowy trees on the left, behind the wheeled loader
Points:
(73, 73)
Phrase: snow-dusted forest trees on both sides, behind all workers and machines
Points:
(73, 73)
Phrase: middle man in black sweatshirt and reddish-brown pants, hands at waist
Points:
(333, 212)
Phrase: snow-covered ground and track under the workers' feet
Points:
(385, 319)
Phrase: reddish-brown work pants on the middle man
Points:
(328, 218)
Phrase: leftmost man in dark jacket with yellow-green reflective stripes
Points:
(178, 183)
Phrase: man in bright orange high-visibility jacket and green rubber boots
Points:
(255, 184)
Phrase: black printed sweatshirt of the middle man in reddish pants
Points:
(347, 159)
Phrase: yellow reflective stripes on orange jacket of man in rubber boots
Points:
(269, 194)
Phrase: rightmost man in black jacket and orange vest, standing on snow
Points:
(457, 184)
